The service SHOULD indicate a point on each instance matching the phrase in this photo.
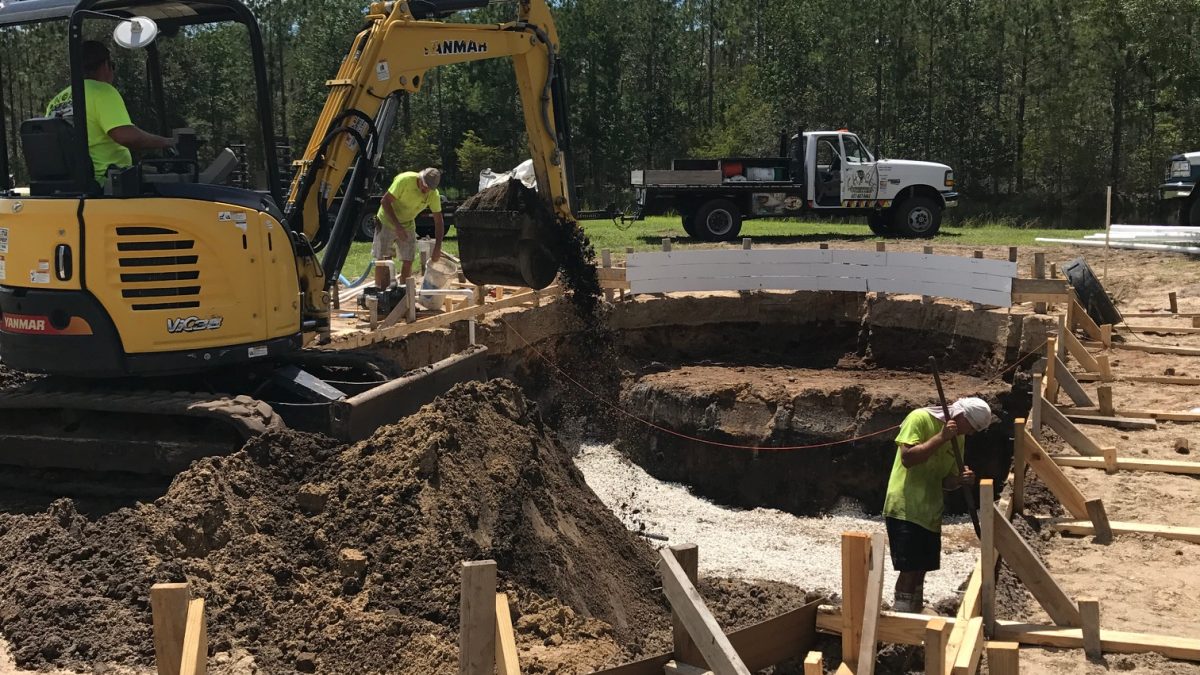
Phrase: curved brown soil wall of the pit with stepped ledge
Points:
(866, 343)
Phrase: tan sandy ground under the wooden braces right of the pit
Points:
(1144, 584)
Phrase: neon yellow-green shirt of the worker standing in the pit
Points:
(915, 494)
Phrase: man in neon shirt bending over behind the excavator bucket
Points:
(411, 194)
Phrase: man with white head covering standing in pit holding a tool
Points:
(925, 469)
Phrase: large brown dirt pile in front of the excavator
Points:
(329, 559)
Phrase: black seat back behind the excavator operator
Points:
(50, 147)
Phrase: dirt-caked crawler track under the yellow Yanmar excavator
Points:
(51, 425)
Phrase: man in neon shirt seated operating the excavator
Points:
(111, 135)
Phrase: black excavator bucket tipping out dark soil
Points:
(508, 237)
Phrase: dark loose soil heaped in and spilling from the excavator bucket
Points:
(572, 246)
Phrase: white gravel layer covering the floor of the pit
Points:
(758, 543)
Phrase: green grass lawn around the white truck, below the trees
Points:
(649, 235)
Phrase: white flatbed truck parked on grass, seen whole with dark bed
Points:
(819, 172)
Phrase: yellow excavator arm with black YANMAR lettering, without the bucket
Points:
(389, 58)
